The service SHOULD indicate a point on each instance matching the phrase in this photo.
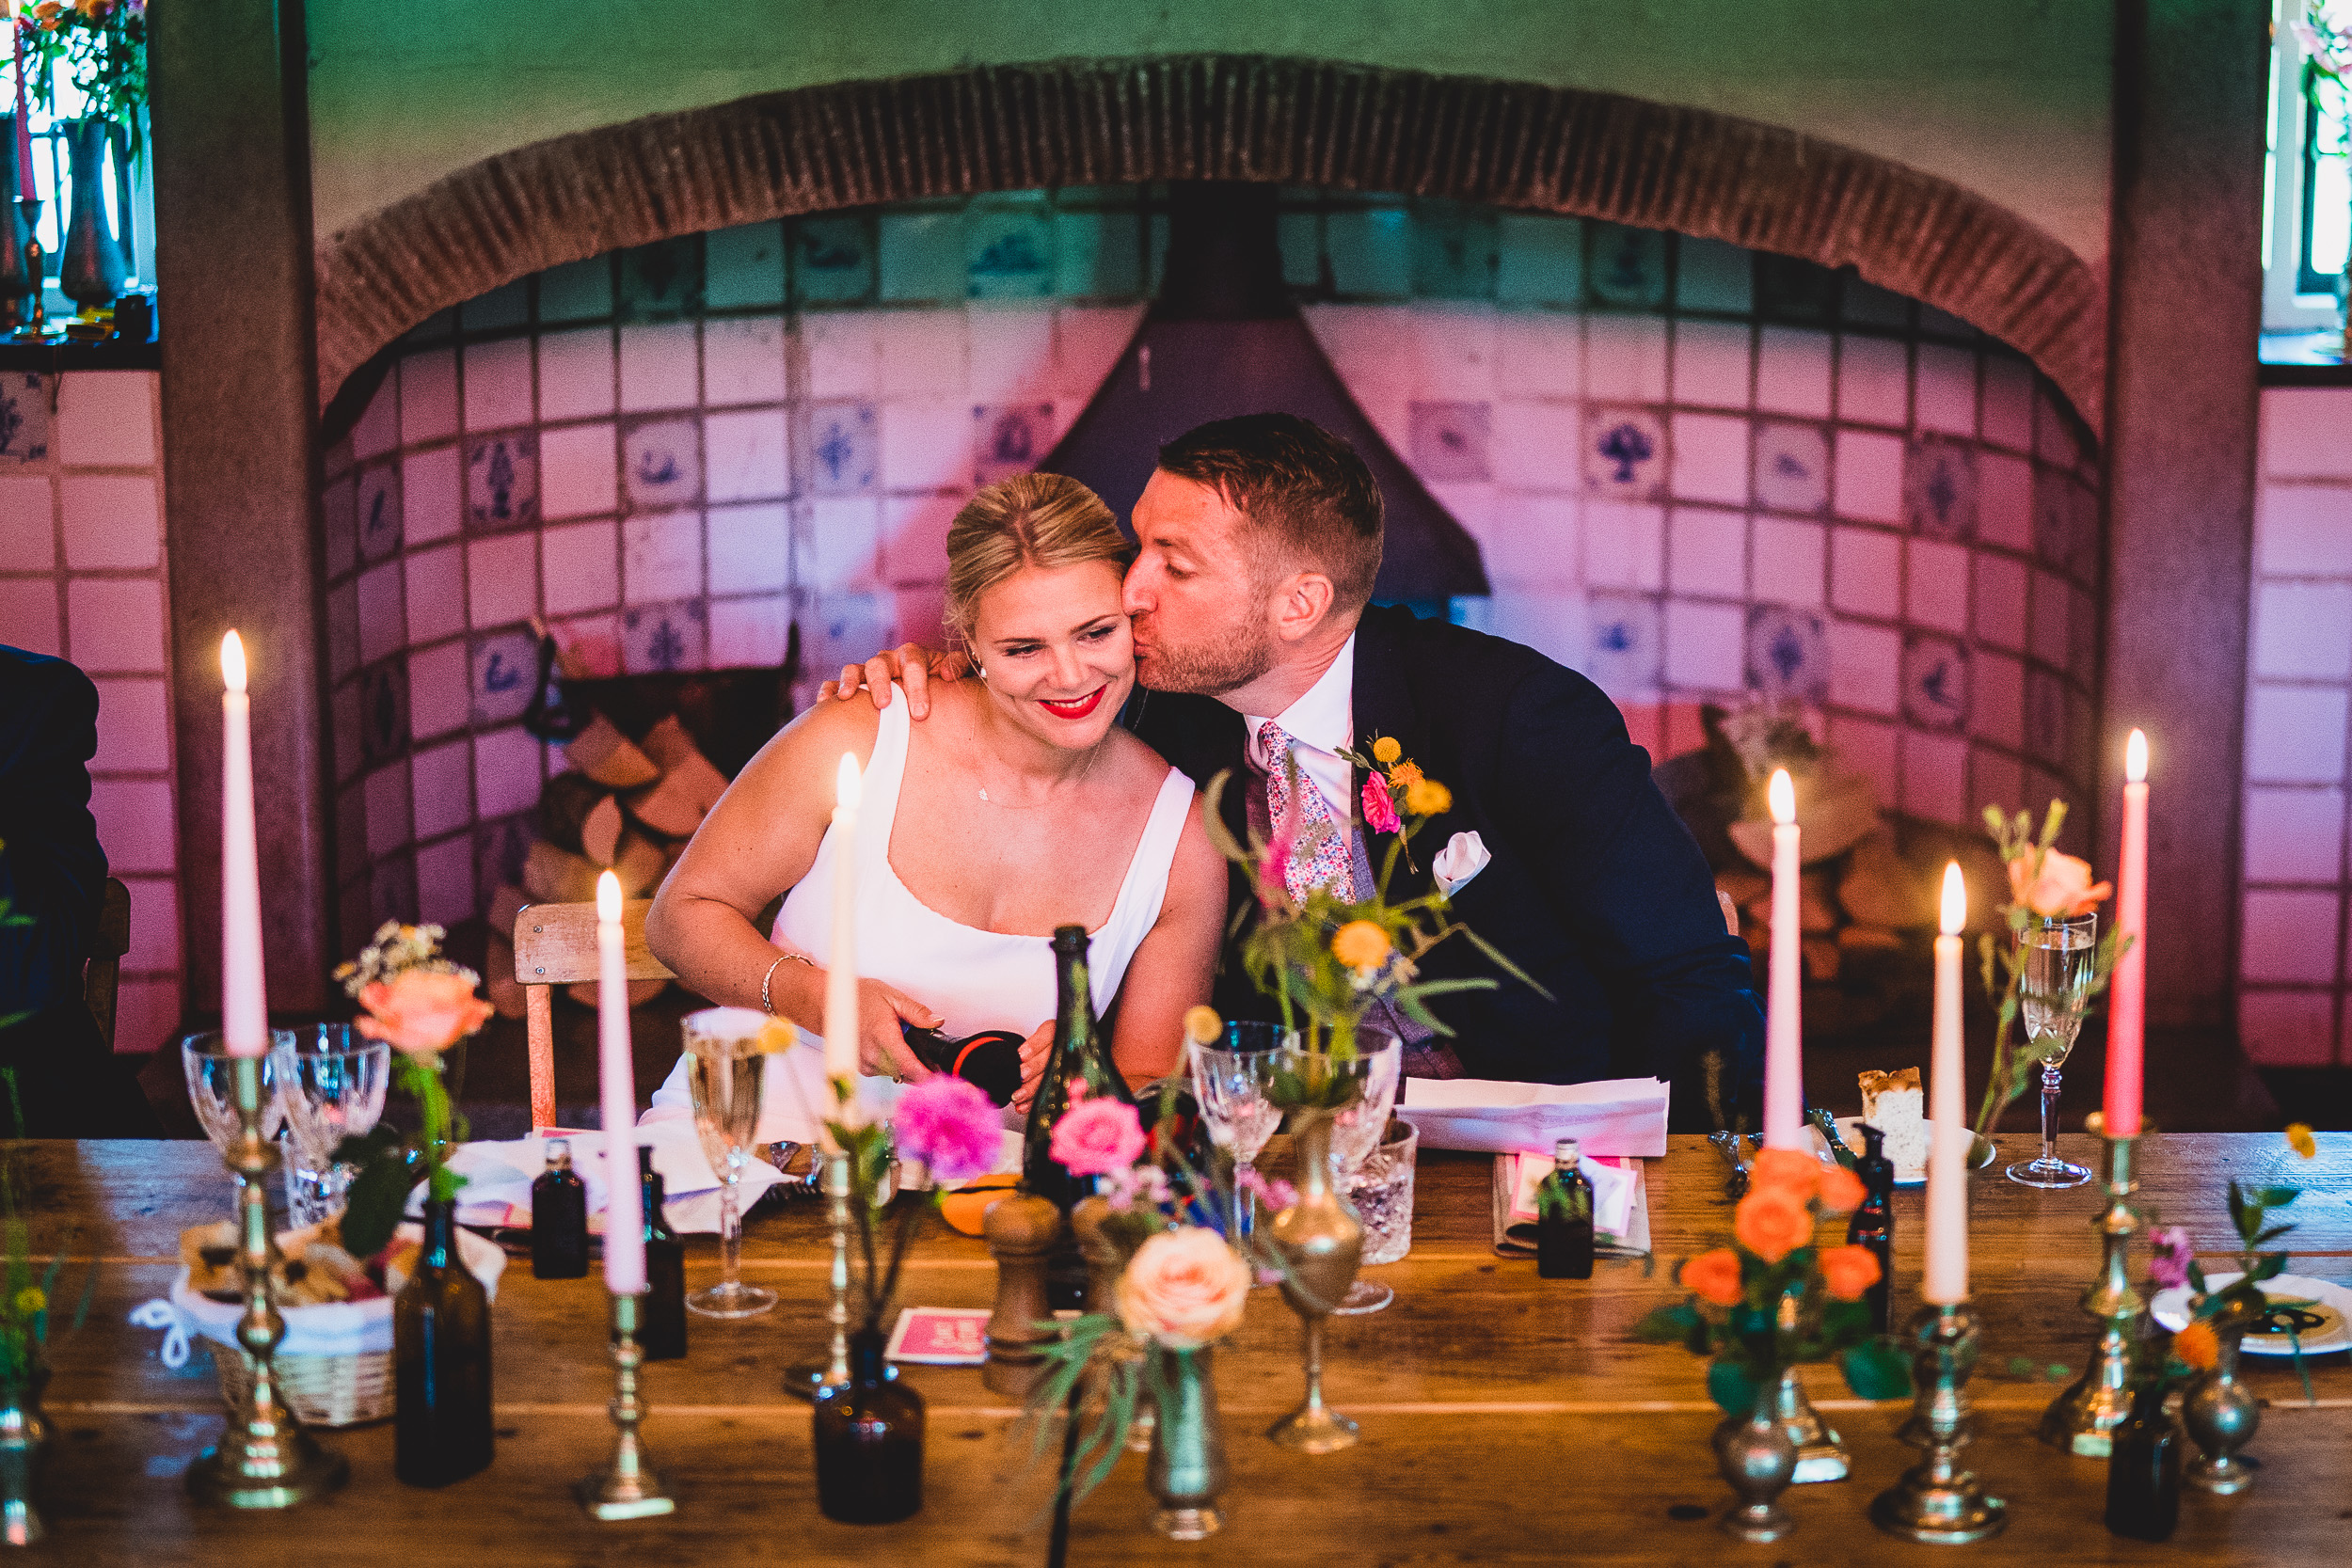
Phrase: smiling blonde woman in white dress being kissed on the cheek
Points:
(1013, 810)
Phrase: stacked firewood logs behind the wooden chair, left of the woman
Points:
(627, 808)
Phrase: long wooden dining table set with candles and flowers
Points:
(1506, 1419)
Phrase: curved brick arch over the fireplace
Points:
(1100, 123)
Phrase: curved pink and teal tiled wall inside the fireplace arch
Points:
(1695, 474)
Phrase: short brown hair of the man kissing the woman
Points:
(1299, 488)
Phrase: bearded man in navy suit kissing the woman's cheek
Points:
(1257, 641)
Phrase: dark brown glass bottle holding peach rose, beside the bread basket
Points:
(441, 1365)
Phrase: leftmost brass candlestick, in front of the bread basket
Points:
(265, 1461)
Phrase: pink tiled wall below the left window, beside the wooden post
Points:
(83, 577)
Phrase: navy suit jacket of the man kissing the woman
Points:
(1596, 887)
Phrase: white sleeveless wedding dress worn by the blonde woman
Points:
(975, 979)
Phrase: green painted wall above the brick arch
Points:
(2007, 98)
